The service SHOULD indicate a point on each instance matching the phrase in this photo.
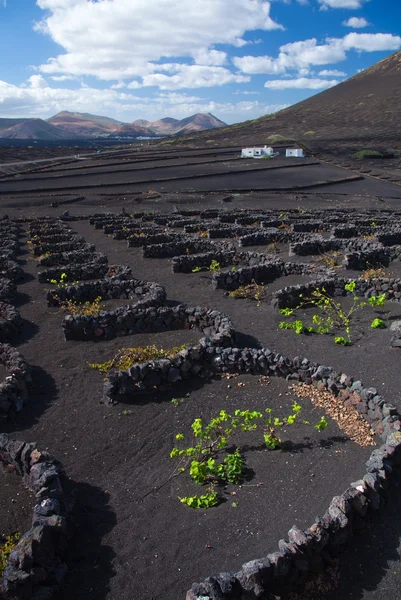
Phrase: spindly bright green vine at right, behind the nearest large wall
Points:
(332, 316)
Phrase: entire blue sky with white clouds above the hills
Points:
(148, 59)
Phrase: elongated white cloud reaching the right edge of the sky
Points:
(304, 54)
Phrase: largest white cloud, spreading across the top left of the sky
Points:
(124, 39)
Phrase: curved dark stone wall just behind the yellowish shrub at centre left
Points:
(126, 320)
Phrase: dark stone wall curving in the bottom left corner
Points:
(35, 568)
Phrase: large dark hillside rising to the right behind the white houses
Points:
(361, 112)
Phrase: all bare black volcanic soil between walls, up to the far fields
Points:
(132, 539)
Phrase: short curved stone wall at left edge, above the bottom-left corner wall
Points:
(14, 389)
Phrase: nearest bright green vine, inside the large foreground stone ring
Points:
(209, 462)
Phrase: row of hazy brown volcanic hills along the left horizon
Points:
(74, 125)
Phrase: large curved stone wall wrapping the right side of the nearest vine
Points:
(308, 552)
